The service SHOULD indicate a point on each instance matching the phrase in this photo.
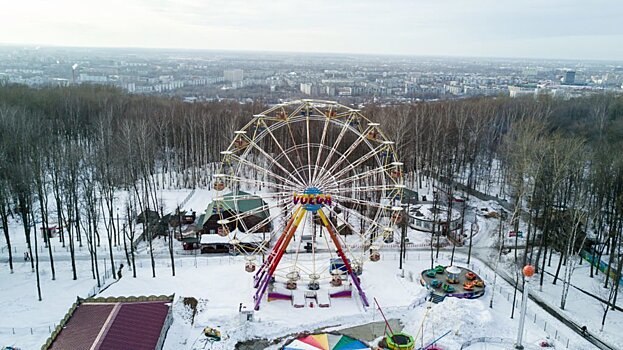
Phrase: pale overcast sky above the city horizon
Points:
(578, 29)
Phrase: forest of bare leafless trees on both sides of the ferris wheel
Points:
(557, 161)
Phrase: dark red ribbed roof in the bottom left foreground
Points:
(114, 324)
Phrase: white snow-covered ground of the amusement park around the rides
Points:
(220, 284)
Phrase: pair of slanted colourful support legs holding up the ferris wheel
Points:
(266, 271)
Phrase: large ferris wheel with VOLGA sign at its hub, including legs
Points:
(308, 190)
